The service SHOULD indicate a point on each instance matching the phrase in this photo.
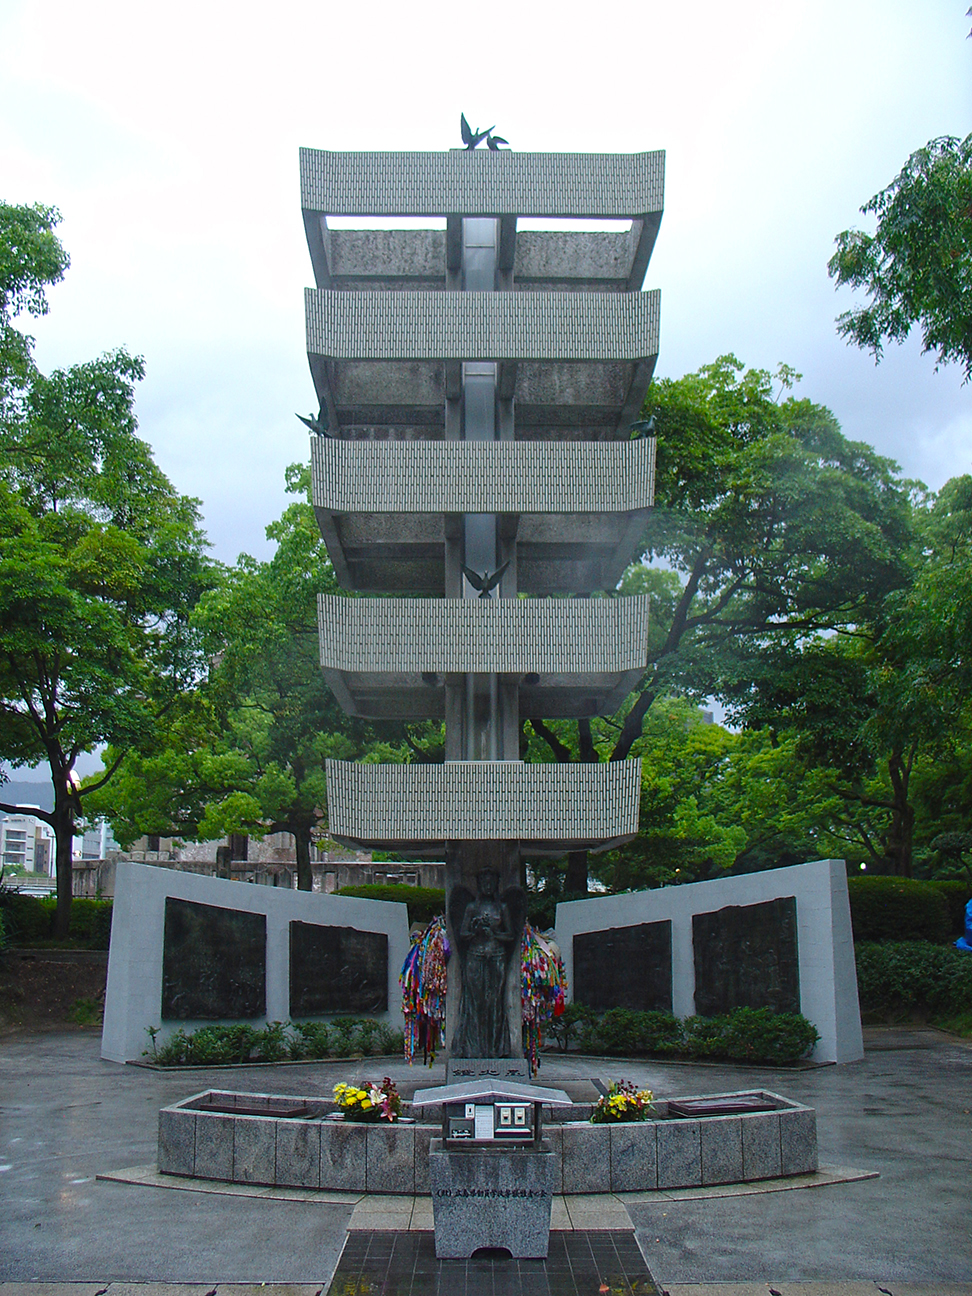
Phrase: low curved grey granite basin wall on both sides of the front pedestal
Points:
(340, 1157)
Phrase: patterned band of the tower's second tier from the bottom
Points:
(506, 636)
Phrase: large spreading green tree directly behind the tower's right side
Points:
(768, 524)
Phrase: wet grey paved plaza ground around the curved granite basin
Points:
(904, 1113)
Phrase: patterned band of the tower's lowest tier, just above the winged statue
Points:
(487, 802)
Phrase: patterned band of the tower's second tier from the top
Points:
(483, 326)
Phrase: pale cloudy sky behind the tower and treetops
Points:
(168, 135)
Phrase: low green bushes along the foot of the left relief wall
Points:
(279, 1041)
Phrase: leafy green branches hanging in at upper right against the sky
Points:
(917, 266)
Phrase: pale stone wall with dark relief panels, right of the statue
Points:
(780, 939)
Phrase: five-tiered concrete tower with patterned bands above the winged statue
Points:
(480, 383)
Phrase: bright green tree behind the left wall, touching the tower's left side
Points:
(248, 755)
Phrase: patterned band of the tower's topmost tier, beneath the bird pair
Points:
(483, 183)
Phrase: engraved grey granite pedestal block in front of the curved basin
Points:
(492, 1197)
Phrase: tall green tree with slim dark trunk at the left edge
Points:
(100, 561)
